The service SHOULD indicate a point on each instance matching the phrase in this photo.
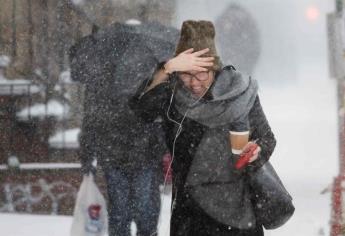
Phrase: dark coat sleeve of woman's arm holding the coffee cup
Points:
(261, 130)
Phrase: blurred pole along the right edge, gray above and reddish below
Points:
(336, 46)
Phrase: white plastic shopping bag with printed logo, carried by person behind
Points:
(90, 211)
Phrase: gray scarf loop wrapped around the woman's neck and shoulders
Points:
(233, 97)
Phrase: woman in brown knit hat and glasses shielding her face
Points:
(210, 113)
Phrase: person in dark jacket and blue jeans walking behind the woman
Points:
(129, 151)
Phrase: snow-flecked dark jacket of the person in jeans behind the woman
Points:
(111, 132)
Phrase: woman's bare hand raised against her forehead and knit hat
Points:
(190, 61)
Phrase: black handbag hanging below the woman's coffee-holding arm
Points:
(272, 203)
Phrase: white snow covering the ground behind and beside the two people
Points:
(304, 120)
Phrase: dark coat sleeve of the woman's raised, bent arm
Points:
(150, 105)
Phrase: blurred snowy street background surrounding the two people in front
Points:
(295, 49)
